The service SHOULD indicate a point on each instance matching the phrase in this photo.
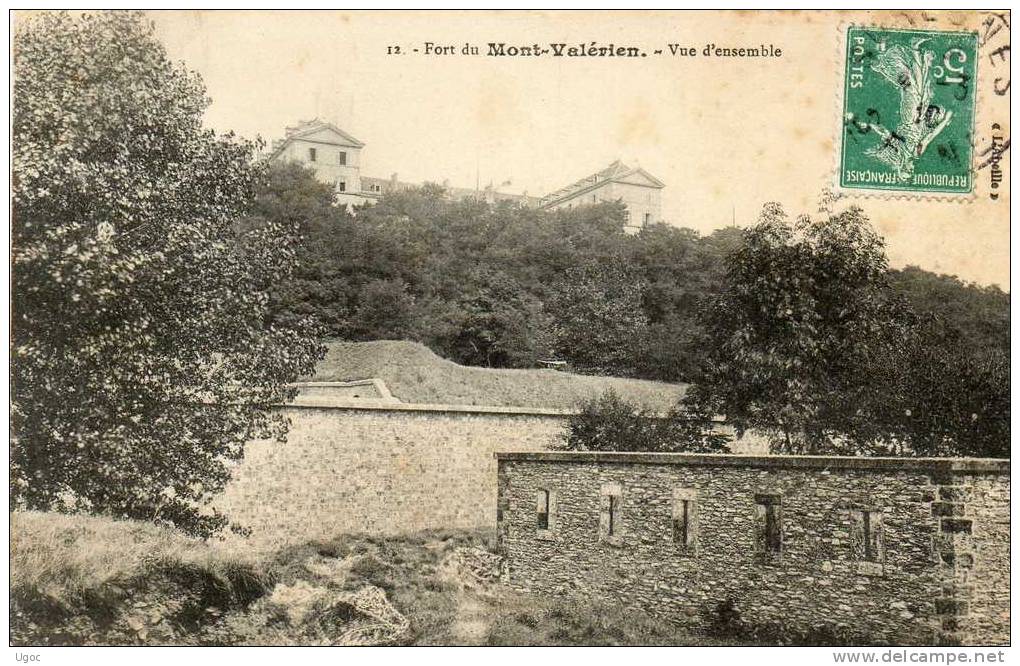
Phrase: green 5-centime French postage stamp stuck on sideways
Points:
(908, 112)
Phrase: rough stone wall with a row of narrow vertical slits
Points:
(892, 551)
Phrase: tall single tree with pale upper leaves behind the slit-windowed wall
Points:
(806, 310)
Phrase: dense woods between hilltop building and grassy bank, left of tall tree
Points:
(498, 286)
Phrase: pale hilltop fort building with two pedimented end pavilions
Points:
(336, 158)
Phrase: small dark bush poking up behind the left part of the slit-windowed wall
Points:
(611, 424)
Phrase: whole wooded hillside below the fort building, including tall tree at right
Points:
(796, 328)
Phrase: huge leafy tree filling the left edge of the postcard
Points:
(141, 358)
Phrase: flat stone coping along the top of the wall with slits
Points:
(958, 466)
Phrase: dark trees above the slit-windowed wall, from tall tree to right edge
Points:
(811, 341)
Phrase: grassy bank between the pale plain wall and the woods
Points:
(416, 375)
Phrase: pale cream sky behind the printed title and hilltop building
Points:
(726, 135)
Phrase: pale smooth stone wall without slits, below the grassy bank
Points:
(380, 470)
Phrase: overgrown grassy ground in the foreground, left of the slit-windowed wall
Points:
(88, 581)
